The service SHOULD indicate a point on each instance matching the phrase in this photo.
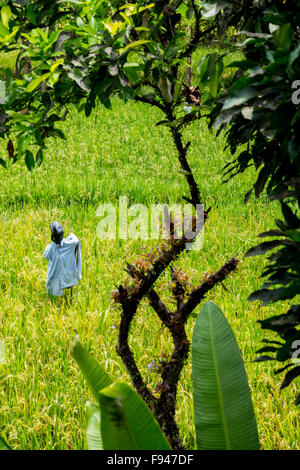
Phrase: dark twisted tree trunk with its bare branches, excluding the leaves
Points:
(129, 297)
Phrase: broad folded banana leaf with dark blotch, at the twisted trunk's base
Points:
(127, 423)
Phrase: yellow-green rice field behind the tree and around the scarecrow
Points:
(112, 154)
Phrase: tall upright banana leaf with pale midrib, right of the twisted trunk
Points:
(224, 416)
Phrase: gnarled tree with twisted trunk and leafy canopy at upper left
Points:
(80, 53)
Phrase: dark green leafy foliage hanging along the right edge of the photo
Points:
(259, 110)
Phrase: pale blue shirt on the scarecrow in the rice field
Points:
(63, 268)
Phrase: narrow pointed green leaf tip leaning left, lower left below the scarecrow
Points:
(94, 374)
